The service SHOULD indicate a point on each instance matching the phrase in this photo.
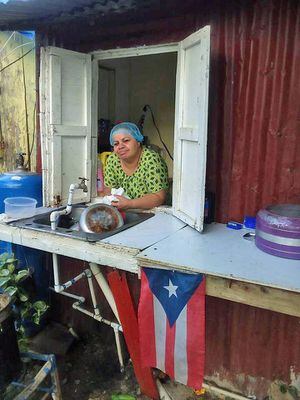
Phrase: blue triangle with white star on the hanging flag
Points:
(172, 289)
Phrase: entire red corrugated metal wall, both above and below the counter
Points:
(253, 153)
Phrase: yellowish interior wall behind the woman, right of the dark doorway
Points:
(153, 82)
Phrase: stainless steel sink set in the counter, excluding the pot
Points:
(68, 225)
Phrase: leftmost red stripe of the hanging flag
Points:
(146, 324)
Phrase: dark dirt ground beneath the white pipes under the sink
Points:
(90, 371)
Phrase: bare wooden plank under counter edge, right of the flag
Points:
(278, 300)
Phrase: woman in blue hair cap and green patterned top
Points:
(141, 172)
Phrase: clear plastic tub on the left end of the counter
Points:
(19, 207)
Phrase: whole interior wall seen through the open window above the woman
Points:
(139, 81)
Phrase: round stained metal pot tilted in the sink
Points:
(99, 218)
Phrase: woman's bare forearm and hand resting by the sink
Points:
(145, 202)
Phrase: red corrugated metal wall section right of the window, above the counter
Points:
(254, 152)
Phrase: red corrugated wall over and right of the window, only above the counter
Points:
(254, 117)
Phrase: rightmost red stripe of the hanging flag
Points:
(196, 337)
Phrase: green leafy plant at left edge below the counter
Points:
(12, 282)
